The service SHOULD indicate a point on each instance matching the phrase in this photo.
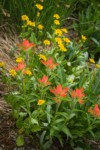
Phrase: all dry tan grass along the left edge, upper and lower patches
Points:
(8, 40)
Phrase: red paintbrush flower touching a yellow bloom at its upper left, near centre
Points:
(49, 63)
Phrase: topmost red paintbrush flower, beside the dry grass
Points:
(26, 45)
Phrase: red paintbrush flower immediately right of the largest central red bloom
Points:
(78, 93)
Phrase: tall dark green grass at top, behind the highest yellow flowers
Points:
(18, 8)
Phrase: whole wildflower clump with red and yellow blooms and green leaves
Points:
(53, 86)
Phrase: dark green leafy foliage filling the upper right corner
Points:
(89, 24)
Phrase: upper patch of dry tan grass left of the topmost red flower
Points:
(8, 41)
